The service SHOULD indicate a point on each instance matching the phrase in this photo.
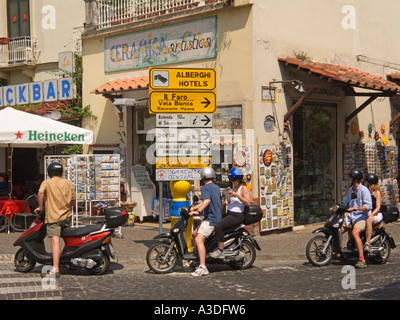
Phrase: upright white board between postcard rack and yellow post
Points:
(143, 191)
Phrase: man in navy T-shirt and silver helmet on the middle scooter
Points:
(212, 211)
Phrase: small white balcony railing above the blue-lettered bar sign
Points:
(18, 51)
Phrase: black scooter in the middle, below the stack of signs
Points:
(240, 247)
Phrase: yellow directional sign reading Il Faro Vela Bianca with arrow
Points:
(182, 102)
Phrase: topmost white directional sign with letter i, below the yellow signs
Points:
(183, 120)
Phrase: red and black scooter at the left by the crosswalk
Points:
(88, 247)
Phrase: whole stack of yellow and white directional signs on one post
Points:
(182, 99)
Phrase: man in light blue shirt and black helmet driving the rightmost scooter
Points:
(359, 203)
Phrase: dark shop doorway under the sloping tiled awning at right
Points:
(314, 150)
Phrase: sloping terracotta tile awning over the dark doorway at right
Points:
(343, 74)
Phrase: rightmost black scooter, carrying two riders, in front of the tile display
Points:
(322, 248)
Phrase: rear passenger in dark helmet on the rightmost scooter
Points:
(376, 215)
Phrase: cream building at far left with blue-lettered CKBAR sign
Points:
(37, 40)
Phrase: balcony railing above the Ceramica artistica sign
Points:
(107, 13)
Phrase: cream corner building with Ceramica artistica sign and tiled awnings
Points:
(306, 91)
